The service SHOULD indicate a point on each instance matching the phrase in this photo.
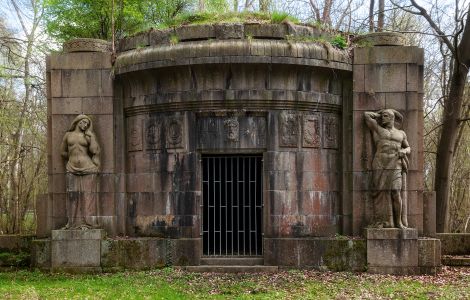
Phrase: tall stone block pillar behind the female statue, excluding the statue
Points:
(79, 82)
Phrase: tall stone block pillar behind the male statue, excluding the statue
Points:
(384, 77)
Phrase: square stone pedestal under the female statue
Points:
(76, 251)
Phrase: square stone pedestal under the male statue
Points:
(392, 251)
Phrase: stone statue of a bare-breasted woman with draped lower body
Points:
(81, 150)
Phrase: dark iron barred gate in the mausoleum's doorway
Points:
(232, 205)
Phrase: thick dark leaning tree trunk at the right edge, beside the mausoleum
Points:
(450, 125)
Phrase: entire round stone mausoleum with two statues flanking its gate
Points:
(235, 144)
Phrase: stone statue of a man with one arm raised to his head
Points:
(389, 168)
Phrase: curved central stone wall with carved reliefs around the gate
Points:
(289, 111)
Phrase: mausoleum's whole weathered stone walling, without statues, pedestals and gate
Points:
(166, 102)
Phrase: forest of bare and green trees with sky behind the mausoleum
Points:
(31, 29)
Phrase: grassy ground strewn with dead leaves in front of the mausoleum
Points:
(452, 283)
